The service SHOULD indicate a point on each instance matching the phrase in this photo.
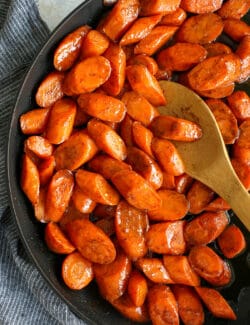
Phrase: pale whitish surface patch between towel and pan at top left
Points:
(53, 11)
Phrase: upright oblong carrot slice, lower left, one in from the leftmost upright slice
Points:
(58, 195)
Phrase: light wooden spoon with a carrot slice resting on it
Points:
(207, 159)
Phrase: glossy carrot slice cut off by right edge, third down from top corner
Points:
(243, 51)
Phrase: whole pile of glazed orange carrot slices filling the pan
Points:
(101, 171)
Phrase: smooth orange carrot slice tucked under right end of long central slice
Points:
(174, 206)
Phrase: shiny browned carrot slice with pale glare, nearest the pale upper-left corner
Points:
(68, 50)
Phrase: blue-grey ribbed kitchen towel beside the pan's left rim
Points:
(25, 297)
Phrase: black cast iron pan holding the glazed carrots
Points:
(87, 303)
